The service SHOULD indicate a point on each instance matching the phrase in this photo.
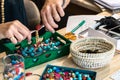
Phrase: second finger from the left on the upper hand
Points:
(50, 18)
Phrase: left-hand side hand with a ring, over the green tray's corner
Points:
(15, 31)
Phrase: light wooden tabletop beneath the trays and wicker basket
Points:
(102, 73)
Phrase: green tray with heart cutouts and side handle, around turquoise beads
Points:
(10, 48)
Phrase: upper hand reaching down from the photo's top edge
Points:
(53, 11)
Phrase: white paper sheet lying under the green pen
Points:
(73, 21)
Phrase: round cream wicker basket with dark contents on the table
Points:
(92, 52)
